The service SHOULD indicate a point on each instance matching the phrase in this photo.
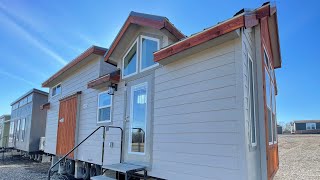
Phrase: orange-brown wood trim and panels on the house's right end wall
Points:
(272, 150)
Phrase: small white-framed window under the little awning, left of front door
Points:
(104, 107)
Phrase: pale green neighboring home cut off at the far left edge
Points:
(4, 130)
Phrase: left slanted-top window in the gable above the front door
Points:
(130, 61)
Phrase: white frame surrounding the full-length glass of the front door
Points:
(145, 84)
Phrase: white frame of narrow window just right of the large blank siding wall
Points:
(253, 144)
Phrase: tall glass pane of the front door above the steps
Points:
(138, 120)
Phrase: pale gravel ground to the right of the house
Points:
(299, 157)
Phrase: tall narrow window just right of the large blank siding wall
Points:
(252, 113)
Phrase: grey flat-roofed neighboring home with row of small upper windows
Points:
(28, 121)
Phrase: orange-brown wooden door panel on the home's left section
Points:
(67, 128)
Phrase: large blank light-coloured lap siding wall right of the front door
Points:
(197, 116)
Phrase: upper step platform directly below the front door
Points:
(124, 167)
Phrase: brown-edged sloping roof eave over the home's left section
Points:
(92, 50)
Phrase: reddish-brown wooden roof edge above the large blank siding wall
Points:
(244, 18)
